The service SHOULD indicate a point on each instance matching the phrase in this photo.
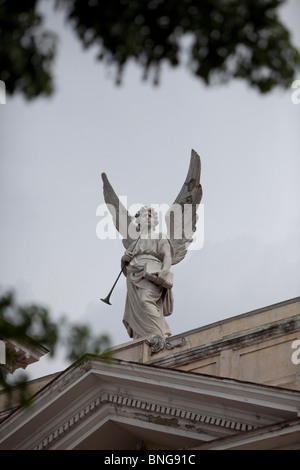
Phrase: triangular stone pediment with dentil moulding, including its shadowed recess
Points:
(123, 405)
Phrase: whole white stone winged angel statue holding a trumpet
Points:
(149, 256)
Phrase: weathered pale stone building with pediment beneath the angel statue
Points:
(233, 384)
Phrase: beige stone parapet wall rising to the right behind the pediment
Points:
(255, 346)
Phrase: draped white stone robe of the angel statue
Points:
(147, 304)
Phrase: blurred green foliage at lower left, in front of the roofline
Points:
(33, 324)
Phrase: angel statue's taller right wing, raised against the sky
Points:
(181, 218)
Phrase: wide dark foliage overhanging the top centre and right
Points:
(228, 38)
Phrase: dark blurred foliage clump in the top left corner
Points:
(26, 50)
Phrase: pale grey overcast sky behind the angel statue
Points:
(54, 150)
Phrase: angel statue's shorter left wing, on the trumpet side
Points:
(123, 221)
